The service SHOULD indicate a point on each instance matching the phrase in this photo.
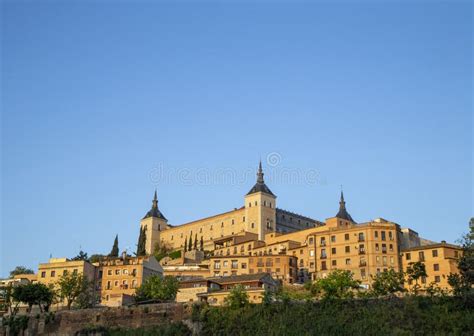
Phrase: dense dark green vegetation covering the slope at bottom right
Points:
(392, 316)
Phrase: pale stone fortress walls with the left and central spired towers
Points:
(259, 215)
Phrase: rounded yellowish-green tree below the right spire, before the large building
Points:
(339, 284)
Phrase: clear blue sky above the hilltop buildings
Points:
(103, 101)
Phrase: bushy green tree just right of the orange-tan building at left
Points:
(158, 288)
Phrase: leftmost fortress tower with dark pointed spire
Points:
(153, 222)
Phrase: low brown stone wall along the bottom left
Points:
(70, 322)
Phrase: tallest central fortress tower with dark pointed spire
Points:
(260, 208)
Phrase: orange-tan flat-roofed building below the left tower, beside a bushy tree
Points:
(119, 278)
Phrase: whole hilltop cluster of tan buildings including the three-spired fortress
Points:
(258, 246)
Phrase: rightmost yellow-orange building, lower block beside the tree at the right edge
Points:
(440, 260)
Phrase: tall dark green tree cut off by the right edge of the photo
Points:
(463, 282)
